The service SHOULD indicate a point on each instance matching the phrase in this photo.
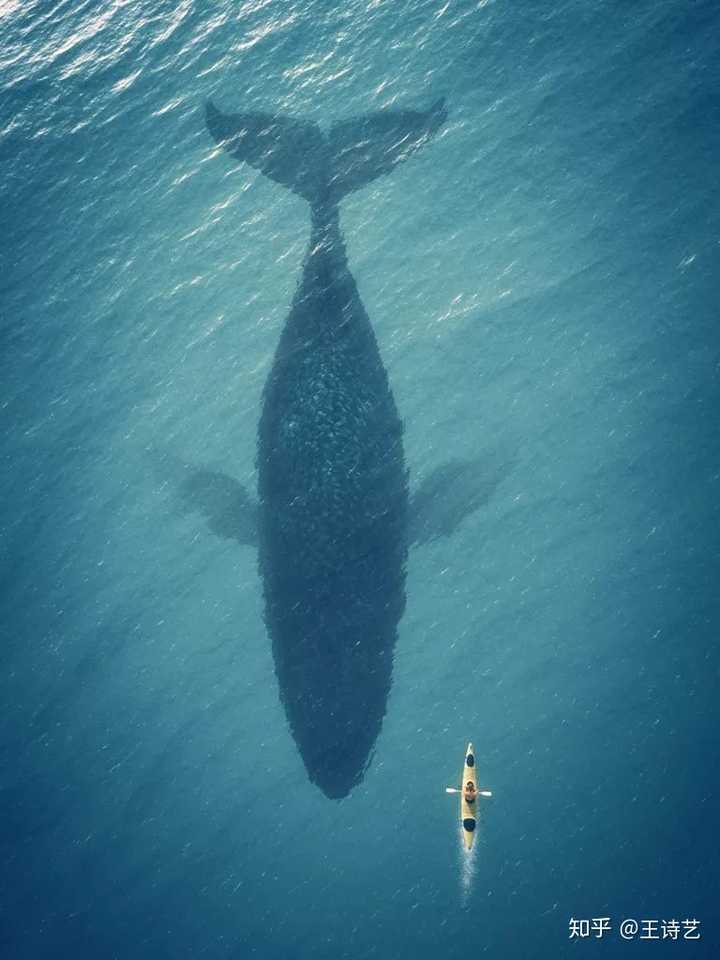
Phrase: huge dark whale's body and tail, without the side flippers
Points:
(332, 518)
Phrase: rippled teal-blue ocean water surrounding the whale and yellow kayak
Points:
(543, 283)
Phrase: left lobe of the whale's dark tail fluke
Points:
(291, 152)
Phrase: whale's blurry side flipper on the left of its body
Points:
(226, 505)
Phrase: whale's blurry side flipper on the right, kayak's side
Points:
(450, 494)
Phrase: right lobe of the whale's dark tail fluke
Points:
(367, 147)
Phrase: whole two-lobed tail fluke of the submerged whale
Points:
(296, 154)
